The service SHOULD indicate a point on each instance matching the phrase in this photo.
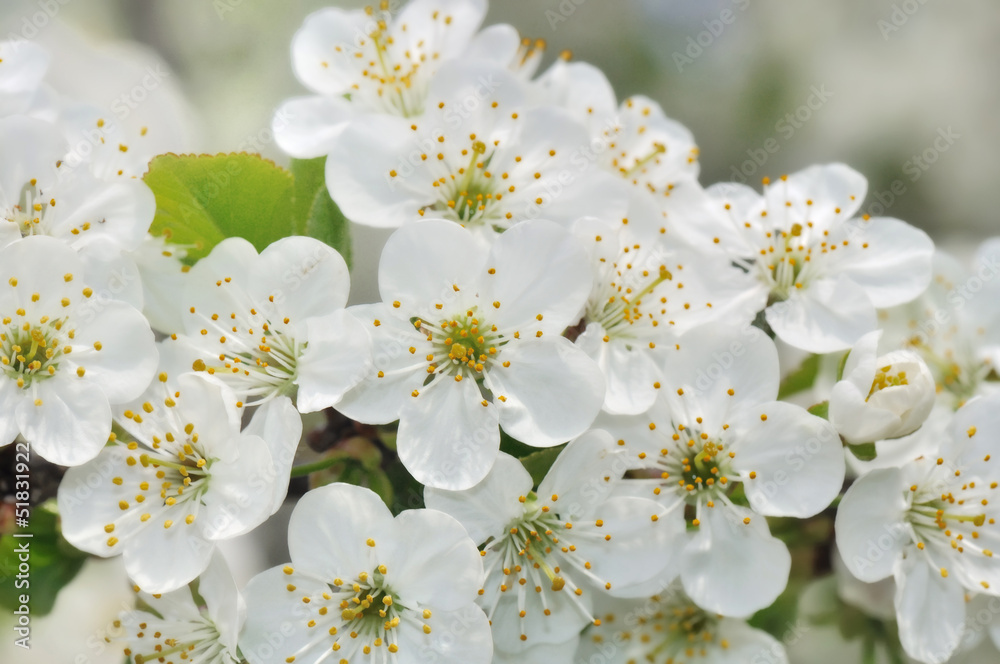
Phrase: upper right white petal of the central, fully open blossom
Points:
(541, 270)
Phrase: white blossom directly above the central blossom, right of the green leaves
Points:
(479, 156)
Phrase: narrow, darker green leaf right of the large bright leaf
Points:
(314, 212)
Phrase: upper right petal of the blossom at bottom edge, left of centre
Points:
(431, 560)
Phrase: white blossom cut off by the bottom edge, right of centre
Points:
(669, 627)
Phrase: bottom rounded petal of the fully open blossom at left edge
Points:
(72, 423)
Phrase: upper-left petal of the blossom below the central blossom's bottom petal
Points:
(486, 509)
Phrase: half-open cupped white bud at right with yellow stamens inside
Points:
(881, 396)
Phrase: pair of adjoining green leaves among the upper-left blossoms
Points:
(203, 199)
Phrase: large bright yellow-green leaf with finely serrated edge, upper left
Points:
(203, 199)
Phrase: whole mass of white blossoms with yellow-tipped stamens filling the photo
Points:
(586, 360)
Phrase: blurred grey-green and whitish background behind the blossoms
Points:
(905, 91)
